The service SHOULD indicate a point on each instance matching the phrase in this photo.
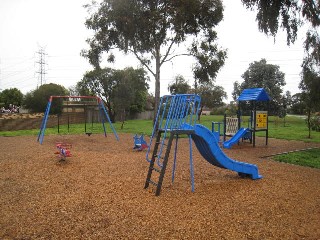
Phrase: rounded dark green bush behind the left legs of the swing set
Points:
(37, 100)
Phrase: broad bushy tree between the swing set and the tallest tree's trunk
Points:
(124, 91)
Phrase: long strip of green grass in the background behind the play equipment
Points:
(293, 129)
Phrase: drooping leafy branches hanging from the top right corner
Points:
(290, 15)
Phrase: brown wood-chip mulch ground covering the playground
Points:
(98, 193)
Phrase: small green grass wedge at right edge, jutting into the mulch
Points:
(308, 158)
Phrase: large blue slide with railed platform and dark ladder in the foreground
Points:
(177, 114)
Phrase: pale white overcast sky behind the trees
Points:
(57, 27)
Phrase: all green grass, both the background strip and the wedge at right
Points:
(294, 128)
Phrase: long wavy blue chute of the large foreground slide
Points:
(209, 148)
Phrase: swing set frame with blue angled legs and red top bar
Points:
(102, 110)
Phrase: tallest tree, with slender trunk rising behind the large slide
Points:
(151, 30)
